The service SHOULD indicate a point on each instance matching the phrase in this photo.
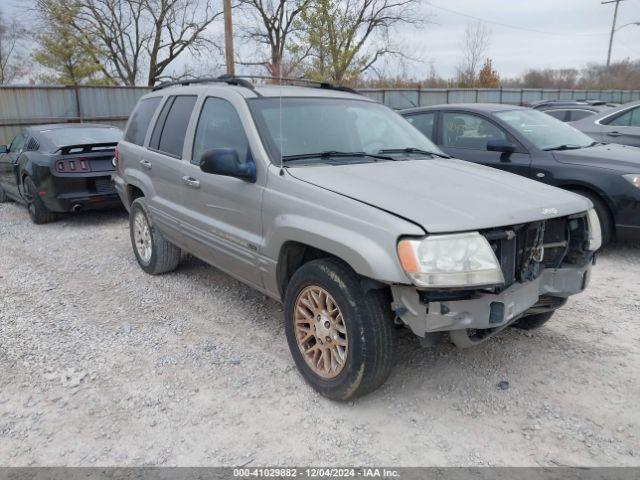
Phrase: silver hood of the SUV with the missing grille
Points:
(445, 195)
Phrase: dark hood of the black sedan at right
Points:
(620, 158)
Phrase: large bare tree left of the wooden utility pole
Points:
(143, 37)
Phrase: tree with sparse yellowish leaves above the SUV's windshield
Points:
(347, 37)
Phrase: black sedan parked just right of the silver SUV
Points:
(535, 145)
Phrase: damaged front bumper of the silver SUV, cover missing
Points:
(426, 314)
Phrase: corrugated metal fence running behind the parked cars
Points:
(30, 105)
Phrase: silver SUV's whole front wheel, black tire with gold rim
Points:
(341, 337)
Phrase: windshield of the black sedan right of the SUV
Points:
(544, 131)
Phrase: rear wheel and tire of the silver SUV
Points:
(154, 253)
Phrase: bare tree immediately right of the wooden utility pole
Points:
(271, 24)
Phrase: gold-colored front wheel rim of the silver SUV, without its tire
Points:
(320, 332)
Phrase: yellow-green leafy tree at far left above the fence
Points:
(61, 51)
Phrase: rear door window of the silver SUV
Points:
(171, 127)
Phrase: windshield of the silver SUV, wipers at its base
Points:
(313, 125)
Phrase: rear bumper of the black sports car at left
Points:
(64, 194)
